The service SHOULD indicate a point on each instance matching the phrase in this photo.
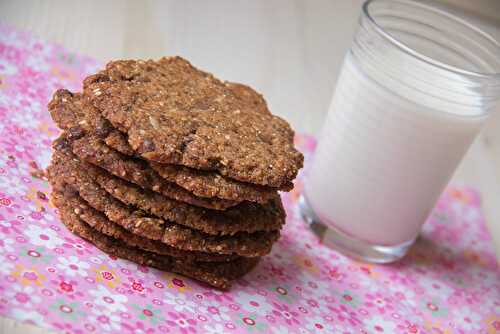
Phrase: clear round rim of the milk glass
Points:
(431, 61)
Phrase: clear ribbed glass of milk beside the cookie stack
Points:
(414, 90)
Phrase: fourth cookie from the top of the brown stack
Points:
(246, 217)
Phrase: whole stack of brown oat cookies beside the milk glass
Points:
(165, 165)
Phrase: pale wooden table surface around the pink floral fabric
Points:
(289, 50)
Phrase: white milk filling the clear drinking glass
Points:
(385, 154)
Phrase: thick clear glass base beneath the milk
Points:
(346, 244)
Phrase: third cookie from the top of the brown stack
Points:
(91, 149)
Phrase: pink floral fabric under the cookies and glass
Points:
(449, 283)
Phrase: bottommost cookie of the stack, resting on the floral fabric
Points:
(219, 275)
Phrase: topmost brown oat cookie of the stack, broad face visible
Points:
(175, 113)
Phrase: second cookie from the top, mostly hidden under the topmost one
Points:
(70, 112)
